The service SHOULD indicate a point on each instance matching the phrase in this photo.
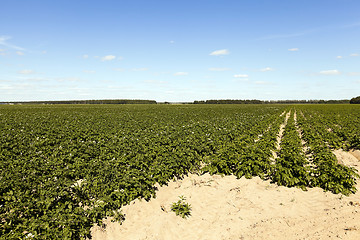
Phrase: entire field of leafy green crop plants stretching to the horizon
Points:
(66, 167)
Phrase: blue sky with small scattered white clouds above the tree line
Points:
(179, 51)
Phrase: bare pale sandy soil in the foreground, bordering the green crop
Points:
(230, 208)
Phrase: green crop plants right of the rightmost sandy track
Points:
(320, 128)
